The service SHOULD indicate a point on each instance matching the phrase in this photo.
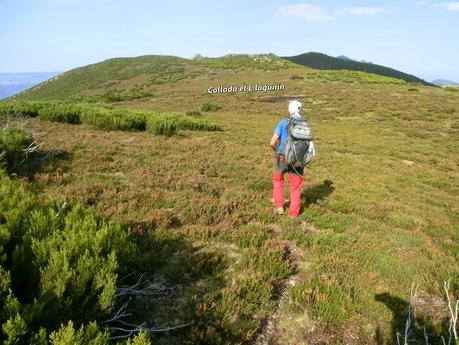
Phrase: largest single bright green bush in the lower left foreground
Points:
(56, 264)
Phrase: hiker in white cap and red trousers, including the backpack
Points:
(284, 156)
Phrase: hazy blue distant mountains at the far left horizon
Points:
(12, 83)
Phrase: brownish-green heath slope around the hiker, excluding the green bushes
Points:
(379, 204)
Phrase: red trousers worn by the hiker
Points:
(295, 182)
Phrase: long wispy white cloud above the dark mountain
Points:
(315, 13)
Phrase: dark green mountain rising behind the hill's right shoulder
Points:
(323, 61)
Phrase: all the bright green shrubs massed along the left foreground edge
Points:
(59, 263)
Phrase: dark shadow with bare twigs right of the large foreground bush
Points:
(182, 274)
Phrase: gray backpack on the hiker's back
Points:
(299, 137)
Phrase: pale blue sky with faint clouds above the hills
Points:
(416, 37)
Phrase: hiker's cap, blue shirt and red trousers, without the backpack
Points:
(295, 174)
